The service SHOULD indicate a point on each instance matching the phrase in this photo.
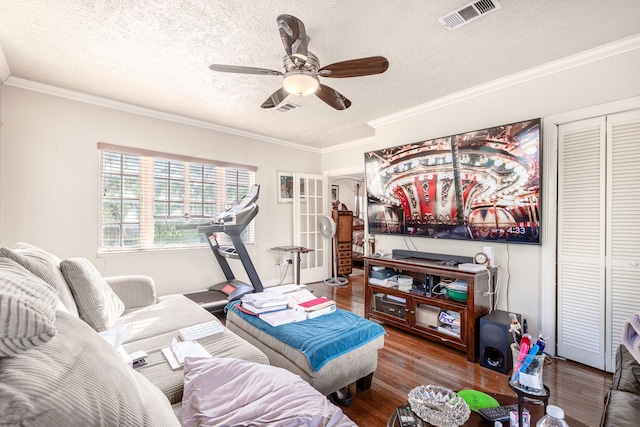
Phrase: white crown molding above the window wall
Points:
(134, 109)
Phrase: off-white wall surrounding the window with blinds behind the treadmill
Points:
(49, 184)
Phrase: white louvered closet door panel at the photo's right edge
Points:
(623, 213)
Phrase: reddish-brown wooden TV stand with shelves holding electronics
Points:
(418, 312)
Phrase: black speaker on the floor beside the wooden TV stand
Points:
(495, 341)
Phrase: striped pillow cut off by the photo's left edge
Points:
(27, 309)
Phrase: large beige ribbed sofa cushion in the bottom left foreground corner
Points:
(78, 379)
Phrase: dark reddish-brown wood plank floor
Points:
(407, 361)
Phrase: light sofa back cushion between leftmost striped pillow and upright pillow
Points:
(44, 265)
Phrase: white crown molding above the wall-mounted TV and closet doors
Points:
(589, 56)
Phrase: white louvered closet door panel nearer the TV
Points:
(581, 241)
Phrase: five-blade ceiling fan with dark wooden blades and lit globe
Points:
(301, 68)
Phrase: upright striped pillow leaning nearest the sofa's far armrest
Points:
(97, 304)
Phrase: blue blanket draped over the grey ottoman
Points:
(323, 338)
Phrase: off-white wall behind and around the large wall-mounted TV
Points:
(610, 76)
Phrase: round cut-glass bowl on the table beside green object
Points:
(439, 406)
